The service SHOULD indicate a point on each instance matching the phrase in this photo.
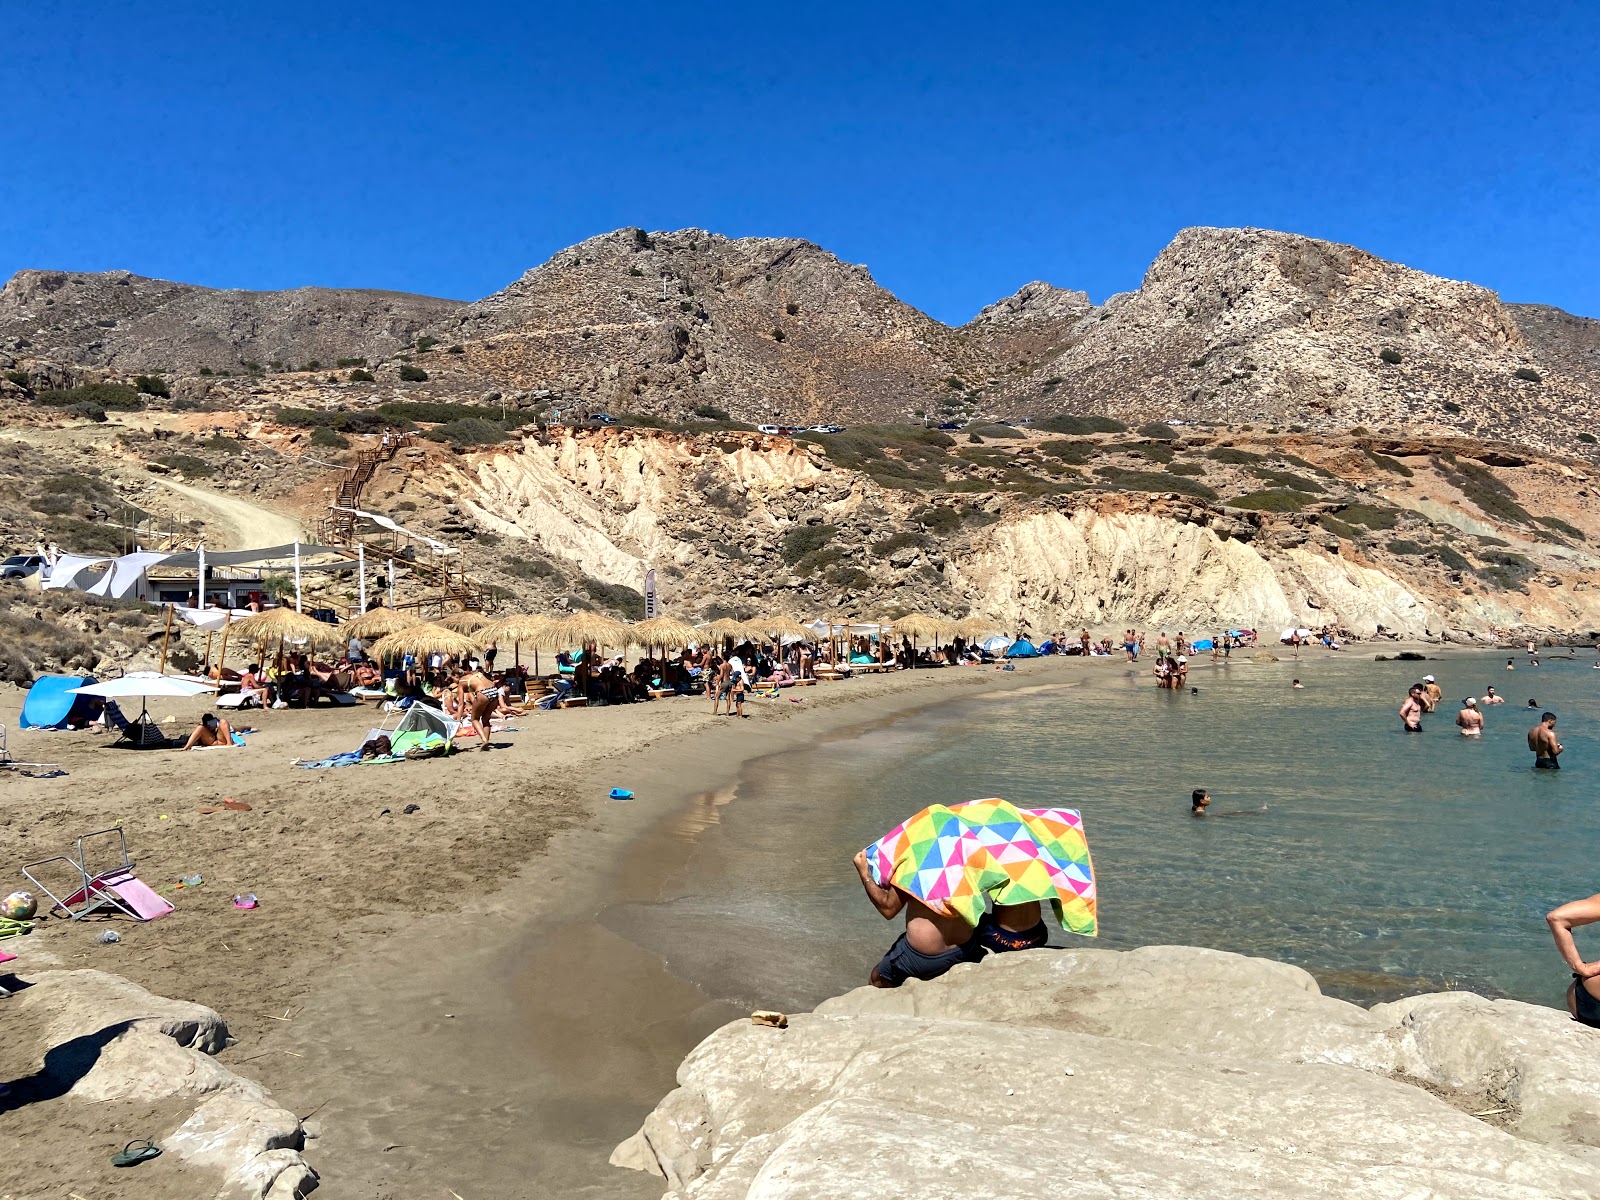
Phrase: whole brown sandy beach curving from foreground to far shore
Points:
(430, 986)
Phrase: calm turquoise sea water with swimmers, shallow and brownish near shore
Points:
(1385, 863)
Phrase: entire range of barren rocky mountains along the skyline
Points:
(1230, 327)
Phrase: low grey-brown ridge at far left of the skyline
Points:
(135, 324)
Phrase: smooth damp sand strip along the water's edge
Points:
(527, 1028)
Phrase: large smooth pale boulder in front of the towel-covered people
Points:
(1158, 1073)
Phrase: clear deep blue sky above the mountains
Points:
(959, 151)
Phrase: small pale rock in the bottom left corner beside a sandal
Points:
(100, 1038)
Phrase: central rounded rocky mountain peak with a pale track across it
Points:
(766, 329)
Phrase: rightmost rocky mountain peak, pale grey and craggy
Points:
(1247, 326)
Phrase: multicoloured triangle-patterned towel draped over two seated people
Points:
(991, 852)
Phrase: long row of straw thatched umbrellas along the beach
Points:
(460, 634)
